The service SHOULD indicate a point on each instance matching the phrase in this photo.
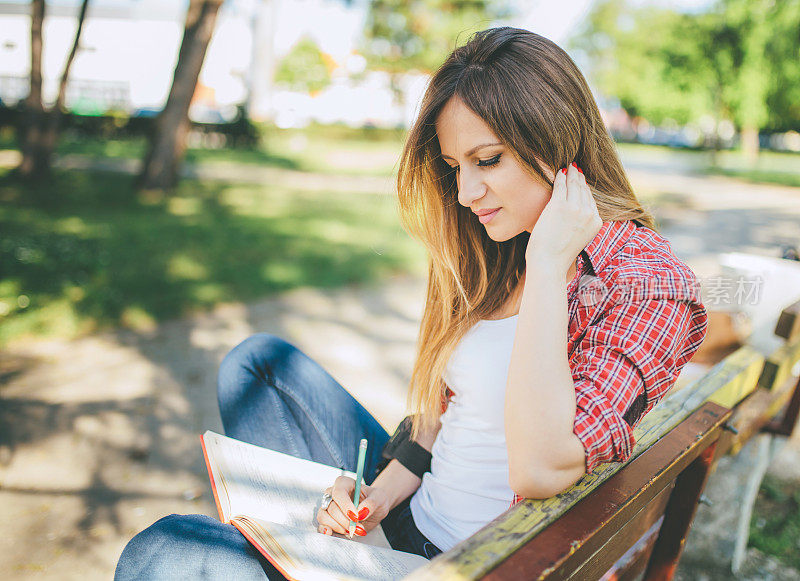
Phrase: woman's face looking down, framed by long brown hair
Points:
(489, 175)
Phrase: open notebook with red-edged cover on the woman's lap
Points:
(273, 499)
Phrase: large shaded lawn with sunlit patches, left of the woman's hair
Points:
(86, 253)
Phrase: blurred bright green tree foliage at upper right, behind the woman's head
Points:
(737, 60)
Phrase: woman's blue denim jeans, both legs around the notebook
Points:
(272, 395)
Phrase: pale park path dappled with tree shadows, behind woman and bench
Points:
(98, 436)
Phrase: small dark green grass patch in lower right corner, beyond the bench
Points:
(775, 527)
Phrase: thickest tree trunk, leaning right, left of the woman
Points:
(168, 141)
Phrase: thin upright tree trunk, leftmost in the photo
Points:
(33, 117)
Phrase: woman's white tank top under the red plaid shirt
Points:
(468, 483)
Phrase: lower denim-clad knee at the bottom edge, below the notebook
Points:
(188, 546)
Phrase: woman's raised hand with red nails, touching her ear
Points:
(567, 224)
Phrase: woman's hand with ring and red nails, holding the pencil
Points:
(372, 508)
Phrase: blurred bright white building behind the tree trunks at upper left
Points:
(129, 49)
